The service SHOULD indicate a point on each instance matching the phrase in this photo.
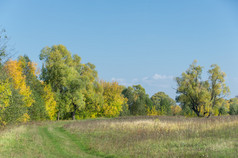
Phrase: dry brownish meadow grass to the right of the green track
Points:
(160, 136)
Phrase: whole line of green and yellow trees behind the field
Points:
(65, 88)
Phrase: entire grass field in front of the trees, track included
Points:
(124, 137)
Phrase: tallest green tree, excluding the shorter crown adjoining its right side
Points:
(60, 70)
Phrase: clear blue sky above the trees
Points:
(131, 41)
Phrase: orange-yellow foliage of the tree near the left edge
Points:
(14, 70)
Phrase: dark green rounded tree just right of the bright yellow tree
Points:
(138, 100)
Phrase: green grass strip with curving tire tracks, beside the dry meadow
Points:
(48, 140)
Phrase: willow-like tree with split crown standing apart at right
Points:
(201, 96)
